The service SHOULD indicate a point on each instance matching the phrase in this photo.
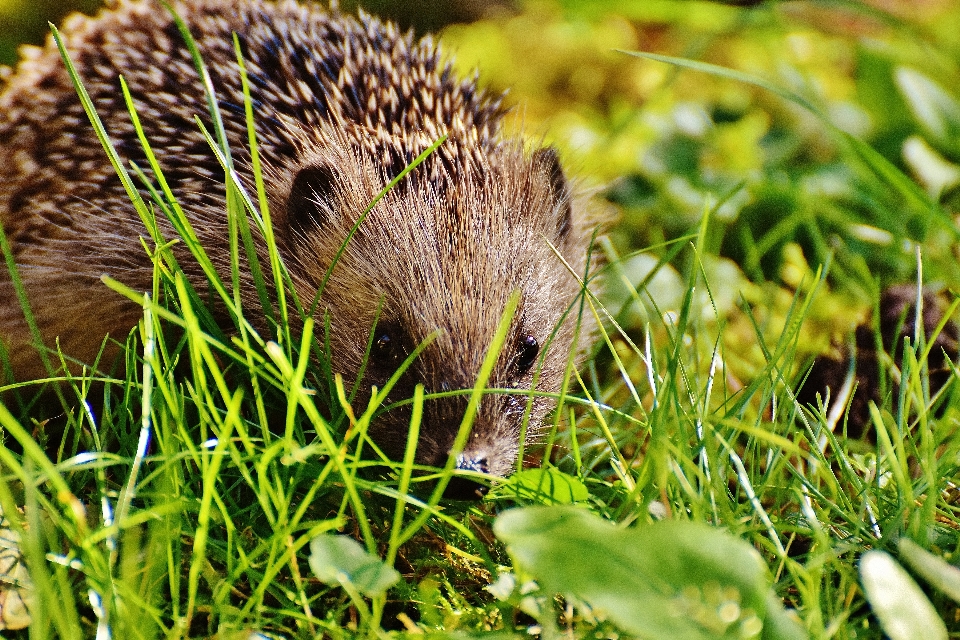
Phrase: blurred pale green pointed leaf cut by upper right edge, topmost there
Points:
(936, 111)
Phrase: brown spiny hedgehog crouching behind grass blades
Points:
(343, 105)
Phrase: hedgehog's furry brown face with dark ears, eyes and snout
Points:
(437, 261)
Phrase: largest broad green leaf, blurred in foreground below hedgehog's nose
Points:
(670, 580)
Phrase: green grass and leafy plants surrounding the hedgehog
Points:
(774, 168)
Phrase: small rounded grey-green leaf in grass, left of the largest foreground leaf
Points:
(341, 560)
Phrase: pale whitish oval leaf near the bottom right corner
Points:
(904, 611)
